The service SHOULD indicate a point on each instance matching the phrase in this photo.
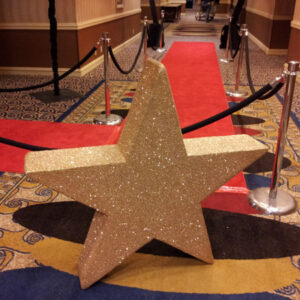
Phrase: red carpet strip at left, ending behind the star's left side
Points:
(51, 135)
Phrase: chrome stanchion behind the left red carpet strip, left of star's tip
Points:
(107, 118)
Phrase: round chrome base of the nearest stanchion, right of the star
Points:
(285, 203)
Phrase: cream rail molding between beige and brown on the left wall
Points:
(70, 26)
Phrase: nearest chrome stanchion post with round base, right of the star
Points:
(272, 200)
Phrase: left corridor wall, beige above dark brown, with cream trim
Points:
(80, 24)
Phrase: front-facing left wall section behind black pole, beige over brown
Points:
(26, 23)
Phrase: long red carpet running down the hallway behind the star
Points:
(198, 91)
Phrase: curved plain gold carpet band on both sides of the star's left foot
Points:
(168, 274)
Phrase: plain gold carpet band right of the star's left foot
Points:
(171, 274)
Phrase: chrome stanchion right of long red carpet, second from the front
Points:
(236, 92)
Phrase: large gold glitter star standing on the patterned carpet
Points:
(147, 186)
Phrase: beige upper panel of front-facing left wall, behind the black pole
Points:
(35, 11)
